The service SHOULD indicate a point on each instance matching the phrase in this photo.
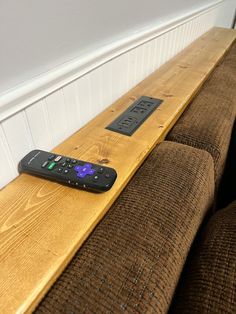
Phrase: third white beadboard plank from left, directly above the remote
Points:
(39, 125)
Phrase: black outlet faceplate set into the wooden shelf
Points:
(130, 120)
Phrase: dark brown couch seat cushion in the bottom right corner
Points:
(208, 283)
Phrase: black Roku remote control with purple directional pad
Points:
(69, 171)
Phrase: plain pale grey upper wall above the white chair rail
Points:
(37, 36)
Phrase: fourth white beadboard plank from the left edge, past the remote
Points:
(57, 117)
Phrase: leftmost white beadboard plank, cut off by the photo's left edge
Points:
(7, 167)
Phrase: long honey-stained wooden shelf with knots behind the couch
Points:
(42, 224)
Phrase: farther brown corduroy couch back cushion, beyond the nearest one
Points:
(208, 121)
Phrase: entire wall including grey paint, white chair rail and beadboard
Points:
(45, 109)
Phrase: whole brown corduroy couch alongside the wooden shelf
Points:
(135, 259)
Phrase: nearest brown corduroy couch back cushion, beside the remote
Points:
(133, 259)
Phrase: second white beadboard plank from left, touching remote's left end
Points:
(18, 136)
